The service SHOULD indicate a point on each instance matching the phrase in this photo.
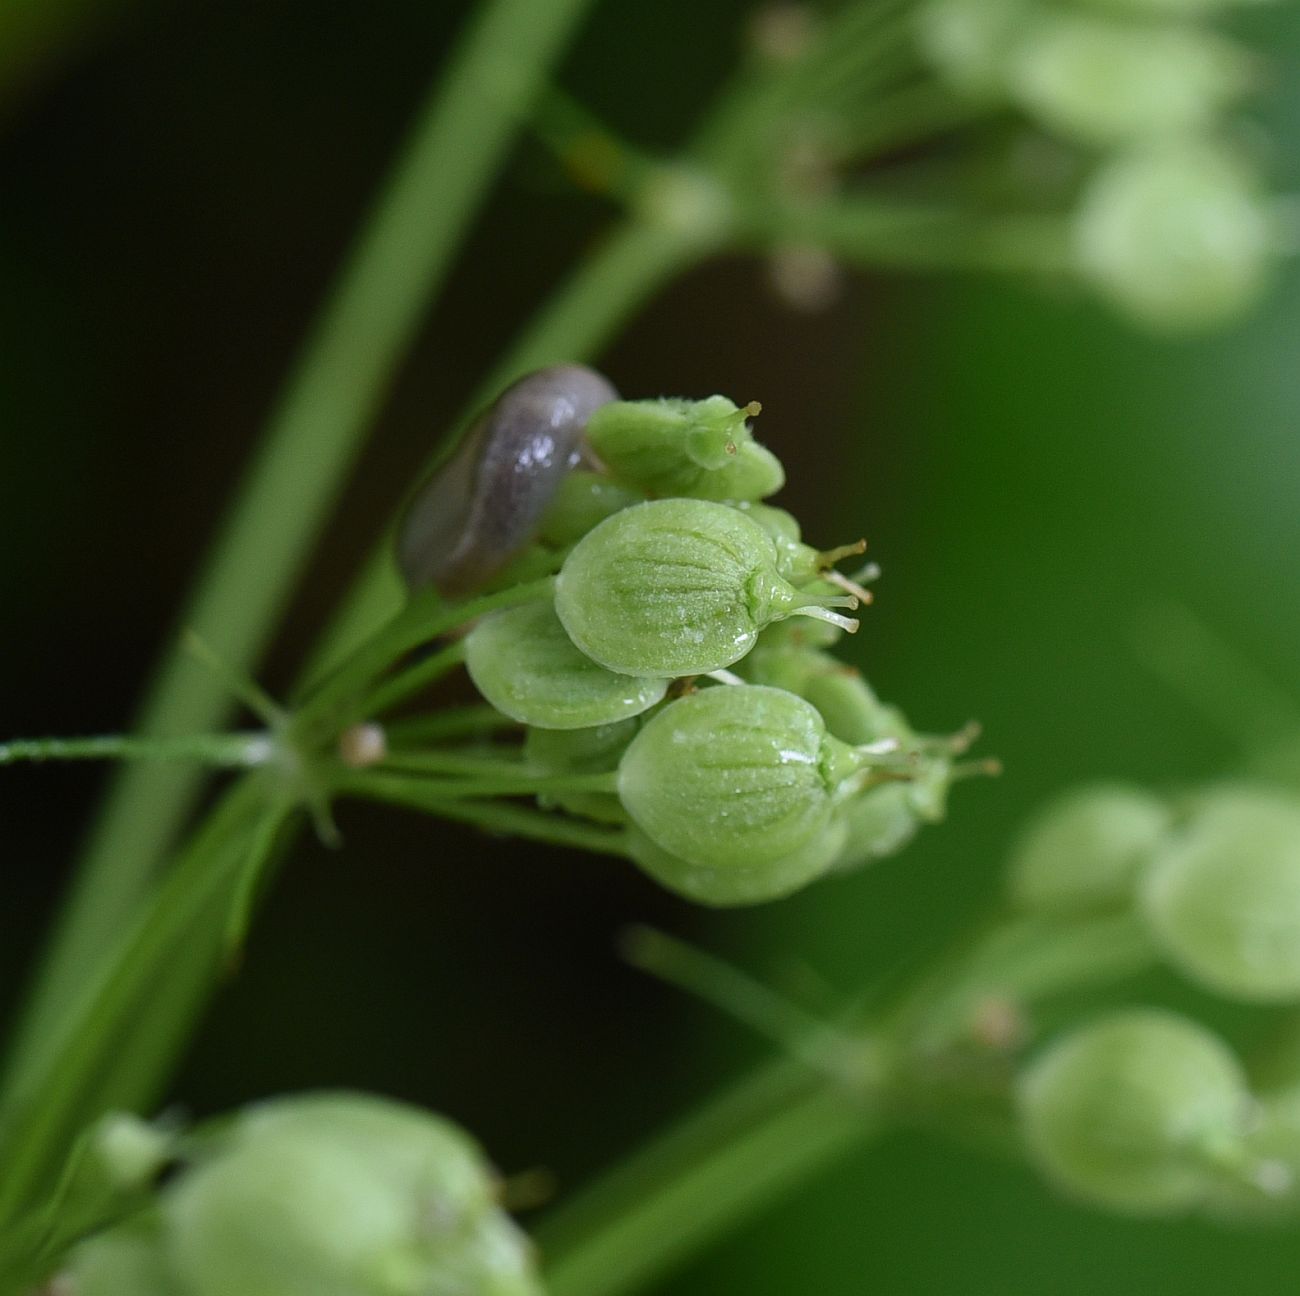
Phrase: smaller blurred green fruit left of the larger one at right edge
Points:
(1086, 851)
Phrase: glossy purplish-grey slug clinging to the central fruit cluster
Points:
(484, 505)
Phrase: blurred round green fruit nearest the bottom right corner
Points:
(1136, 1112)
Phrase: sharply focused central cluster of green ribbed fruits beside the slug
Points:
(683, 654)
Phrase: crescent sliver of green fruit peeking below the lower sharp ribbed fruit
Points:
(733, 886)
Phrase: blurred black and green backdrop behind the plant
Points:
(177, 183)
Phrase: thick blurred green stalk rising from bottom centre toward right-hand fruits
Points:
(787, 1122)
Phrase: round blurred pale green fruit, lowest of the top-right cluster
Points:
(1176, 236)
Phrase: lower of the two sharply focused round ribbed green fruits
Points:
(735, 778)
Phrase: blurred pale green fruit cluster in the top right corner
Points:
(1172, 226)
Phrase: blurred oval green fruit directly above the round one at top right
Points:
(1103, 81)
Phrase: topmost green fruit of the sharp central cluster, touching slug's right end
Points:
(697, 449)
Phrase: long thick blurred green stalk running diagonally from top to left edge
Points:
(365, 330)
